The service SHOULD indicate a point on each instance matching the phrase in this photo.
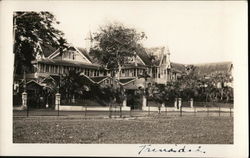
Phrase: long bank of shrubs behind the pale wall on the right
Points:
(191, 85)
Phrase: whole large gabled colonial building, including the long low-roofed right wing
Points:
(151, 62)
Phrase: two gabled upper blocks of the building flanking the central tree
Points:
(154, 61)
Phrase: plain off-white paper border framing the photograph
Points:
(238, 149)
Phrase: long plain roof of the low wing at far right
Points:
(211, 68)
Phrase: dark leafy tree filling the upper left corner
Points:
(32, 31)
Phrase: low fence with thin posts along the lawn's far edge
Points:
(118, 112)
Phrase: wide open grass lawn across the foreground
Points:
(156, 129)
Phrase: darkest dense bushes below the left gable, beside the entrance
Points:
(72, 83)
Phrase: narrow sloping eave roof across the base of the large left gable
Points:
(67, 63)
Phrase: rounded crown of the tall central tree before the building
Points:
(115, 44)
